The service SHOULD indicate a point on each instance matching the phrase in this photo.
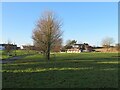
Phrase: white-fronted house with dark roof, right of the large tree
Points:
(77, 48)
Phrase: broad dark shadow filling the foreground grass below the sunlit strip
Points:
(61, 79)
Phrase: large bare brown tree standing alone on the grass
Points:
(47, 33)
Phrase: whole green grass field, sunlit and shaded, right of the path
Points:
(83, 70)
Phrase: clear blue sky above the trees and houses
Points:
(86, 22)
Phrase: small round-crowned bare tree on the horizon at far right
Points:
(107, 42)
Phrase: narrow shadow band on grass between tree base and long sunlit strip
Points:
(60, 64)
